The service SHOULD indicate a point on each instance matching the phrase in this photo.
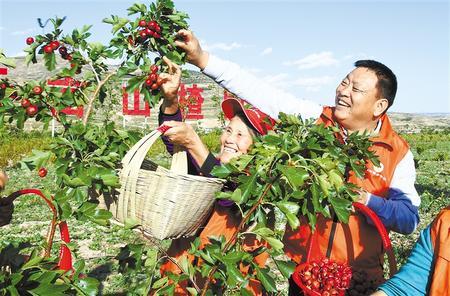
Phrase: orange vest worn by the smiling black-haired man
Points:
(357, 242)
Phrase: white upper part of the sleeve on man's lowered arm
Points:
(405, 177)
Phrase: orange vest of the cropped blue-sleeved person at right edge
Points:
(440, 237)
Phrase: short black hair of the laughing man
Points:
(387, 82)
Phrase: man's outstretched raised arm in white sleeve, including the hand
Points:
(246, 86)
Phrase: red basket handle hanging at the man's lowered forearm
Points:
(387, 245)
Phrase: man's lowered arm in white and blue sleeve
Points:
(399, 211)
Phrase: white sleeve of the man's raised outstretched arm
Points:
(263, 96)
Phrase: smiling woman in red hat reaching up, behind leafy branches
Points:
(245, 122)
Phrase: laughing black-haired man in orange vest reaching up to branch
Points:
(361, 101)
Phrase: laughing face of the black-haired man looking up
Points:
(356, 100)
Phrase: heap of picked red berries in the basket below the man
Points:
(326, 277)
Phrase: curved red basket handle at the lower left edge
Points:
(65, 256)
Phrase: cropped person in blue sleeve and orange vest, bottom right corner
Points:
(427, 271)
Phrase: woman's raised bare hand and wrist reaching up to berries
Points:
(169, 88)
